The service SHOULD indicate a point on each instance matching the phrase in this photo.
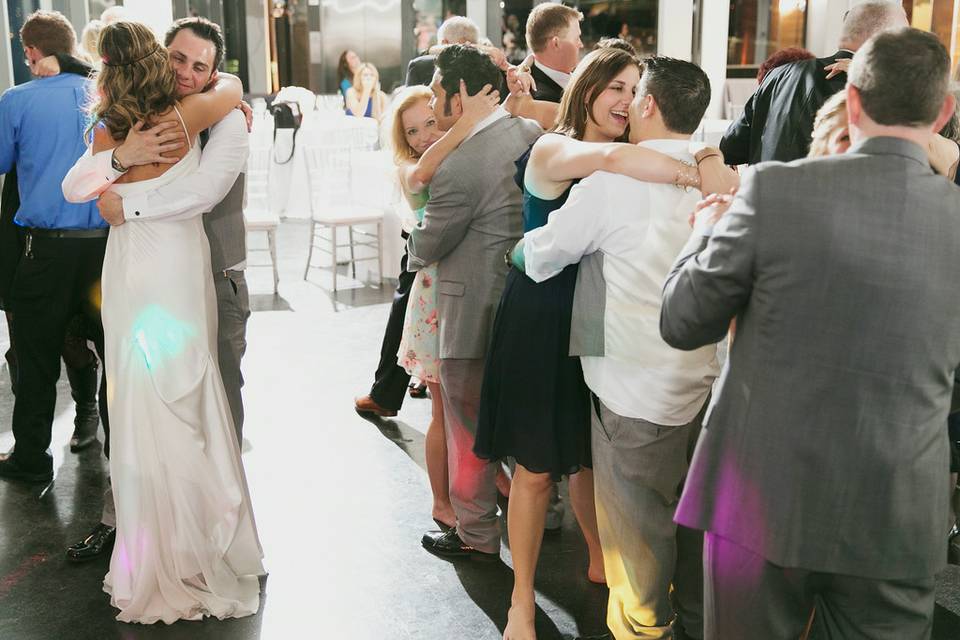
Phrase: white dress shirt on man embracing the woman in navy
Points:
(639, 227)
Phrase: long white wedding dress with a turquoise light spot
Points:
(187, 544)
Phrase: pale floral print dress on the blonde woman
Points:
(419, 351)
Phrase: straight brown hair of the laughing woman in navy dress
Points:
(597, 69)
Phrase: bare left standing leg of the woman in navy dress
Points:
(529, 494)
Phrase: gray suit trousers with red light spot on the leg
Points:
(473, 491)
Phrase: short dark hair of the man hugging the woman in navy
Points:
(681, 89)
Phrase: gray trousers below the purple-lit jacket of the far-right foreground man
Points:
(749, 597)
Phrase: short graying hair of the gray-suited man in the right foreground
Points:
(902, 77)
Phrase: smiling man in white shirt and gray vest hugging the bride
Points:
(215, 189)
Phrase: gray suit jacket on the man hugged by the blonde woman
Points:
(473, 217)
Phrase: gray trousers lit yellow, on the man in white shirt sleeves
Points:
(638, 473)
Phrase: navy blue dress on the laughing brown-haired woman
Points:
(535, 406)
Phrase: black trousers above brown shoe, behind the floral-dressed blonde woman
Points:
(391, 380)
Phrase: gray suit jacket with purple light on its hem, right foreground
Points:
(826, 447)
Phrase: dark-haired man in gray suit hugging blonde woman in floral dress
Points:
(472, 219)
